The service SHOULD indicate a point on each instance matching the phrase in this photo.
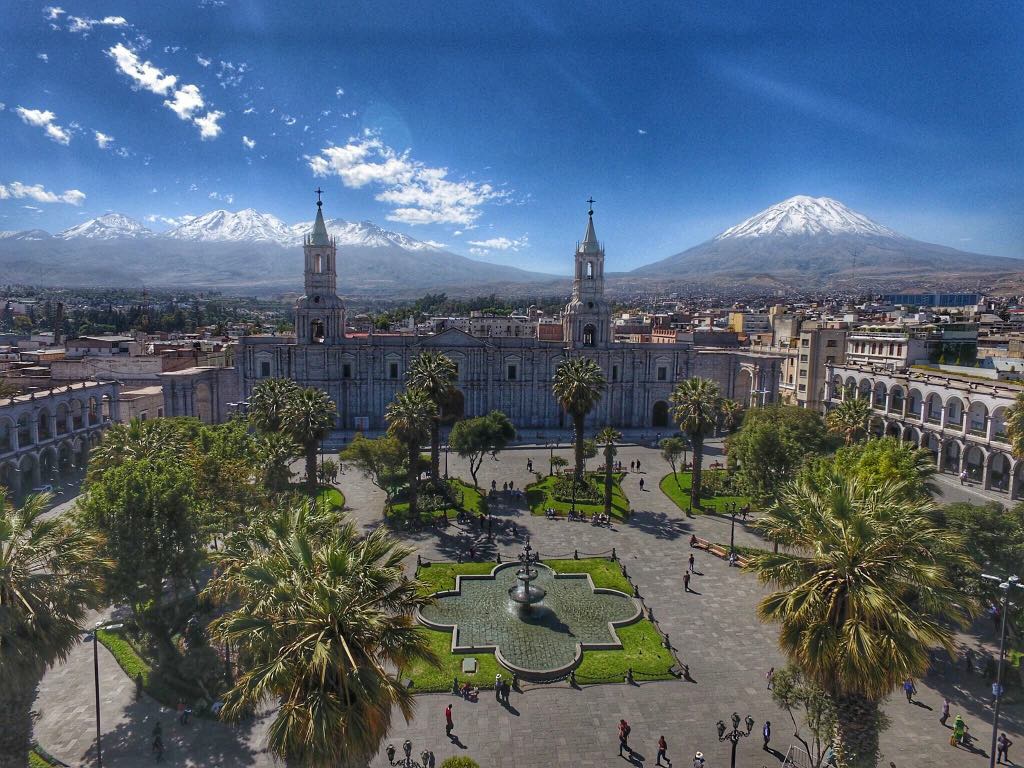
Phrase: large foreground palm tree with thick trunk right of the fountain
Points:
(865, 593)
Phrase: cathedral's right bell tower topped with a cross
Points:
(587, 320)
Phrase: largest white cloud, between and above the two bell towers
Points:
(417, 193)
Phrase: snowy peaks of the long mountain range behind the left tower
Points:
(226, 227)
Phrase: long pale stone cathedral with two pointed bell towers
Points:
(362, 373)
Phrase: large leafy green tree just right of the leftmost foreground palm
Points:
(145, 510)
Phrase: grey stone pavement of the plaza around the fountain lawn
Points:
(714, 630)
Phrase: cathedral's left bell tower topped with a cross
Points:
(320, 316)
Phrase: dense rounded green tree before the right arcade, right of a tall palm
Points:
(773, 445)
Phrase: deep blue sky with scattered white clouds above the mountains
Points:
(486, 125)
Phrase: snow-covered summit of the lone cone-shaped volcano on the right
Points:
(803, 216)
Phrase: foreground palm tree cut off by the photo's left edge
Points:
(51, 573)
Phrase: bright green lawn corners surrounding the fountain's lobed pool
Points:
(642, 645)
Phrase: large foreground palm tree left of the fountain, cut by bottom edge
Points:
(323, 620)
